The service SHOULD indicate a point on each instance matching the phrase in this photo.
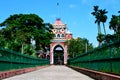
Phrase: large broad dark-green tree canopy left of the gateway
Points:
(20, 29)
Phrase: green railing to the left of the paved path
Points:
(13, 60)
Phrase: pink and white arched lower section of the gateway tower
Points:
(63, 56)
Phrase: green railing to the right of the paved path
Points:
(105, 58)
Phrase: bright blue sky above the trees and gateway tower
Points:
(75, 13)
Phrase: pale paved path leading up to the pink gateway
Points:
(52, 73)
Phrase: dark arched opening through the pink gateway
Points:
(58, 55)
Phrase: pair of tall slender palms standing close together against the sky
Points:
(100, 17)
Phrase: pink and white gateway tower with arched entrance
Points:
(58, 48)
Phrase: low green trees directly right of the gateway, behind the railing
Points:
(78, 46)
